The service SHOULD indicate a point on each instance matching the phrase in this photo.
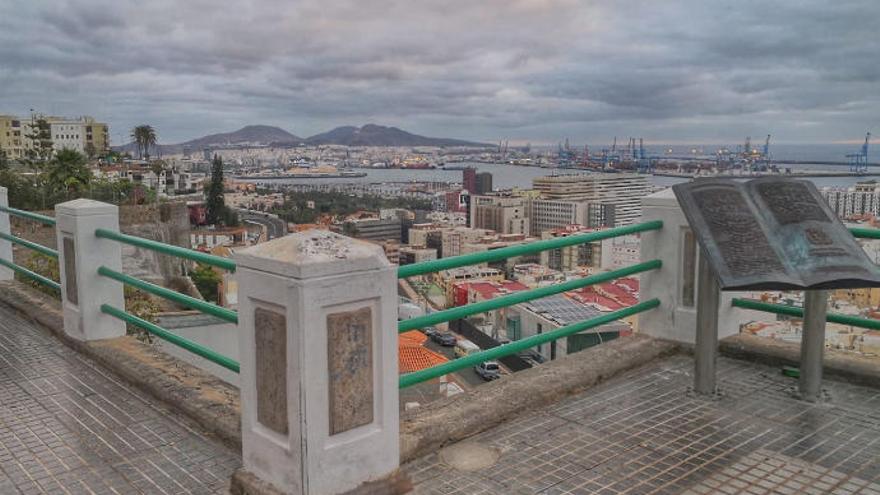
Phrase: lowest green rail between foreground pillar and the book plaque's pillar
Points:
(522, 345)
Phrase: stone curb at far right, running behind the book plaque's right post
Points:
(854, 369)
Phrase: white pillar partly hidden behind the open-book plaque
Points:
(675, 284)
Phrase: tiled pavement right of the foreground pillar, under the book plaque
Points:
(645, 433)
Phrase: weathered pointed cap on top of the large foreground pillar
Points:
(313, 253)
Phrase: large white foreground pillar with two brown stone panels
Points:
(318, 342)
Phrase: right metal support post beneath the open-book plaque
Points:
(813, 344)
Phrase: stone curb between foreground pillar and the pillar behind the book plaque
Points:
(428, 428)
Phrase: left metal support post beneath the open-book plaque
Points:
(708, 297)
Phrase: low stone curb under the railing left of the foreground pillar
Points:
(209, 401)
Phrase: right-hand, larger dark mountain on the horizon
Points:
(377, 135)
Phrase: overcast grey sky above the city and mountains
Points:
(539, 71)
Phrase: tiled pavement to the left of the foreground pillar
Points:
(68, 426)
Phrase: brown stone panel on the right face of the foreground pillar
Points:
(350, 366)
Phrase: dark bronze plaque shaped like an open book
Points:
(773, 234)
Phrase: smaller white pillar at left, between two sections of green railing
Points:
(80, 254)
